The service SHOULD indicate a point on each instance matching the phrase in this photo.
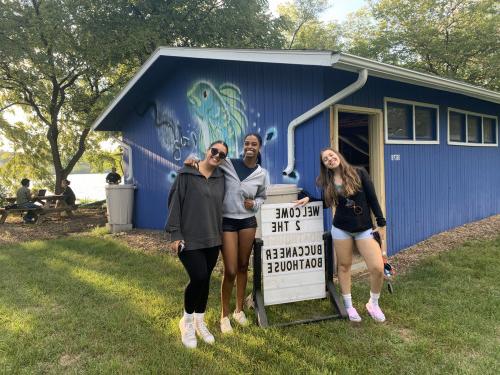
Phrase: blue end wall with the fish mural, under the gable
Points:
(270, 97)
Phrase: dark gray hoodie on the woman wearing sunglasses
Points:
(195, 209)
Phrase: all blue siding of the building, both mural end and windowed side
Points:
(430, 189)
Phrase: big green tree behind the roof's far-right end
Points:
(451, 38)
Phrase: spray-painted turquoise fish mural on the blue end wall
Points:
(215, 111)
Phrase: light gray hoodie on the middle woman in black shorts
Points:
(252, 187)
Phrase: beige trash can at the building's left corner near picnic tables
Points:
(120, 204)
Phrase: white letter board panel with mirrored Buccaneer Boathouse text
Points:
(293, 255)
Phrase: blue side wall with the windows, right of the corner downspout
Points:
(432, 188)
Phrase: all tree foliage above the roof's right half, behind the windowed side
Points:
(450, 38)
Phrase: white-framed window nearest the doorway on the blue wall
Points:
(411, 122)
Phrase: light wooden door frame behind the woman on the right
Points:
(375, 141)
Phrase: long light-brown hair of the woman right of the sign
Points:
(350, 179)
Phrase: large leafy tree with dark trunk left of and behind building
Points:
(63, 60)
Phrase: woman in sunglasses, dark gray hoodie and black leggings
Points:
(195, 226)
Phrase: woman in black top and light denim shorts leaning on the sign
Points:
(351, 192)
